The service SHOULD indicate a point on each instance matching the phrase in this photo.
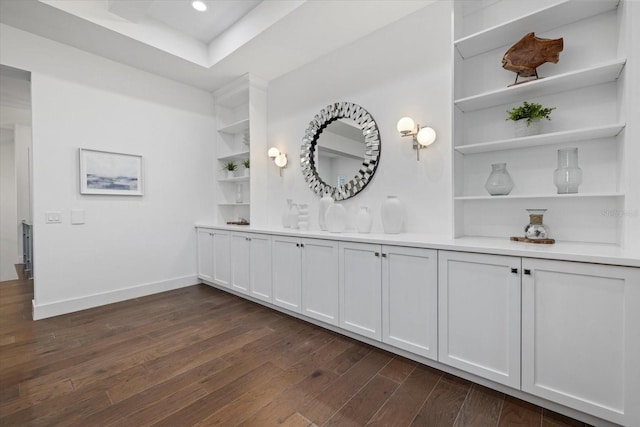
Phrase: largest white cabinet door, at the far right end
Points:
(581, 337)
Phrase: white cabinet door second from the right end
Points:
(479, 317)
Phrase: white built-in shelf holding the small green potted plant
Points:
(583, 134)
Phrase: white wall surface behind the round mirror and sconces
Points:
(401, 70)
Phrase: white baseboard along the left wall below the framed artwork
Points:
(58, 308)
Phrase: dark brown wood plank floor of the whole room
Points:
(199, 356)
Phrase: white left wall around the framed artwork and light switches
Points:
(129, 246)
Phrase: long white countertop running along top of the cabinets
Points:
(566, 251)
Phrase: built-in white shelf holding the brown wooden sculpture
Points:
(602, 73)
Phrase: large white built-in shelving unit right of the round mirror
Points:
(587, 87)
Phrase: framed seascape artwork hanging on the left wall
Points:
(102, 172)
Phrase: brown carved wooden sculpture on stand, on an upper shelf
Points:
(529, 53)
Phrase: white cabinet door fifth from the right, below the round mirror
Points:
(320, 288)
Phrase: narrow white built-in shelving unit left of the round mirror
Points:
(240, 114)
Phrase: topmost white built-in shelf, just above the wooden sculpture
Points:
(542, 20)
